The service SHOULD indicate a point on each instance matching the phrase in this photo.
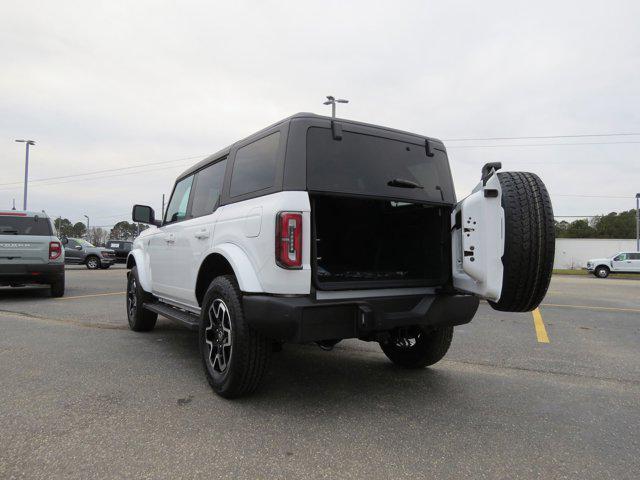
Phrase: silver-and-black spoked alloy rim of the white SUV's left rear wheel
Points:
(218, 336)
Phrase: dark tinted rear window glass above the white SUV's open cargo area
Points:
(376, 166)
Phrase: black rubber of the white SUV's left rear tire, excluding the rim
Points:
(250, 351)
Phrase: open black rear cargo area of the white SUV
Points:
(373, 243)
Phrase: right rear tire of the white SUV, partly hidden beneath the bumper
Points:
(430, 348)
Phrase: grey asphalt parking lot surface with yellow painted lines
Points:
(84, 397)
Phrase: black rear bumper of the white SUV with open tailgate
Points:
(303, 319)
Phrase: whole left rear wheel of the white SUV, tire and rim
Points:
(234, 356)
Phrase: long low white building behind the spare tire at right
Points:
(573, 253)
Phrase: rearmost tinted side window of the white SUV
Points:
(255, 166)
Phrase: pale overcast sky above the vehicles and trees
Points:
(109, 85)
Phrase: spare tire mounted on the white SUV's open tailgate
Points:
(529, 242)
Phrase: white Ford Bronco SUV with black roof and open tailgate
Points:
(318, 229)
